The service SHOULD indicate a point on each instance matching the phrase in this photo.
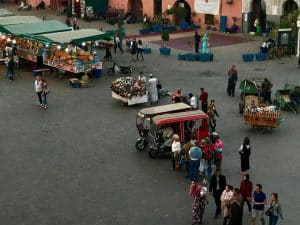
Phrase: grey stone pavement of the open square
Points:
(76, 164)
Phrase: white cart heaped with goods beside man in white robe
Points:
(129, 90)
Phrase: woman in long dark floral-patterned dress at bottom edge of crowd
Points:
(198, 193)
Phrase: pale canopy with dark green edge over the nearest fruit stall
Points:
(76, 37)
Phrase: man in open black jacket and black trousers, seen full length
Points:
(216, 187)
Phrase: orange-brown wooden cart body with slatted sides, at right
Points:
(262, 120)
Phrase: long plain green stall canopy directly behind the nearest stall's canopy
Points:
(44, 27)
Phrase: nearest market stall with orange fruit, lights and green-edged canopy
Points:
(65, 53)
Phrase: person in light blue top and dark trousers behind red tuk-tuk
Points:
(195, 154)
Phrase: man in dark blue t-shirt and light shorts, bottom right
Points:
(259, 201)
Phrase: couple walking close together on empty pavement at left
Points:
(42, 90)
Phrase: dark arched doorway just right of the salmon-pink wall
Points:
(258, 12)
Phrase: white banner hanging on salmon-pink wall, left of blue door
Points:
(207, 6)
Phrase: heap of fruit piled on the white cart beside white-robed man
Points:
(128, 87)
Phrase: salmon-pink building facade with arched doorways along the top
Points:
(213, 12)
